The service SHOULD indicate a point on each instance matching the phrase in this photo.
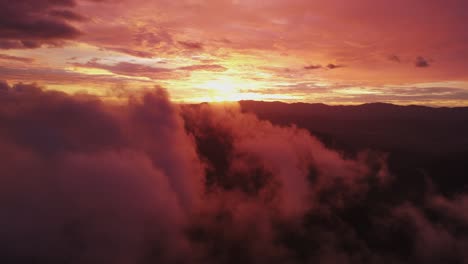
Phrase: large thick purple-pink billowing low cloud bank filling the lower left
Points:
(119, 190)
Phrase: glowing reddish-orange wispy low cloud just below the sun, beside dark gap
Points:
(287, 154)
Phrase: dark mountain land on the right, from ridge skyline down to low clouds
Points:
(421, 142)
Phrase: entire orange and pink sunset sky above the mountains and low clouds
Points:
(333, 51)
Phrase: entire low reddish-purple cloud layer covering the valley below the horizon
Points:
(88, 181)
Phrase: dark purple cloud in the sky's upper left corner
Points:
(36, 21)
